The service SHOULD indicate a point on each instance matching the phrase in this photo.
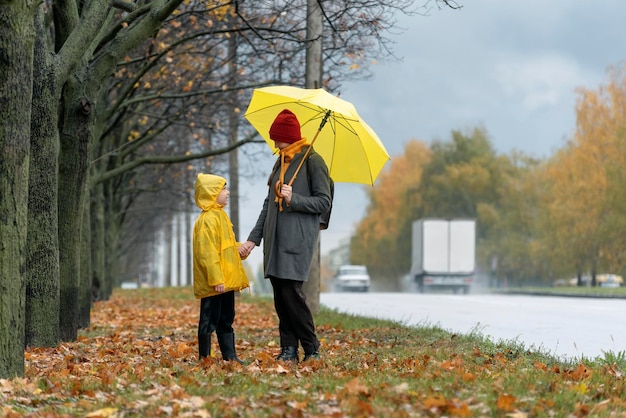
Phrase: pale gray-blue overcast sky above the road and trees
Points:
(511, 66)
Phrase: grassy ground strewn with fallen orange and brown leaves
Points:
(139, 359)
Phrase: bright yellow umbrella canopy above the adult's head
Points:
(352, 150)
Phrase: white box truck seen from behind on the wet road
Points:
(443, 254)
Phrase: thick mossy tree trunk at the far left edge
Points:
(16, 67)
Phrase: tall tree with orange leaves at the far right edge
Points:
(587, 183)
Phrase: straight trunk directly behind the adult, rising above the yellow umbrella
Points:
(313, 79)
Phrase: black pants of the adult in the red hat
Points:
(295, 322)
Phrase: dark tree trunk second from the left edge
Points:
(42, 266)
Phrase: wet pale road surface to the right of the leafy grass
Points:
(562, 326)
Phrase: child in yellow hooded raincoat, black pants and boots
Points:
(217, 268)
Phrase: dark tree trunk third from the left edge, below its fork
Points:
(73, 170)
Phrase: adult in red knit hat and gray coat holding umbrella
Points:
(289, 225)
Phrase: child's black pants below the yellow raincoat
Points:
(217, 313)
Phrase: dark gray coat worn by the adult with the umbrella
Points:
(290, 237)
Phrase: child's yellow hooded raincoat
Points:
(215, 256)
